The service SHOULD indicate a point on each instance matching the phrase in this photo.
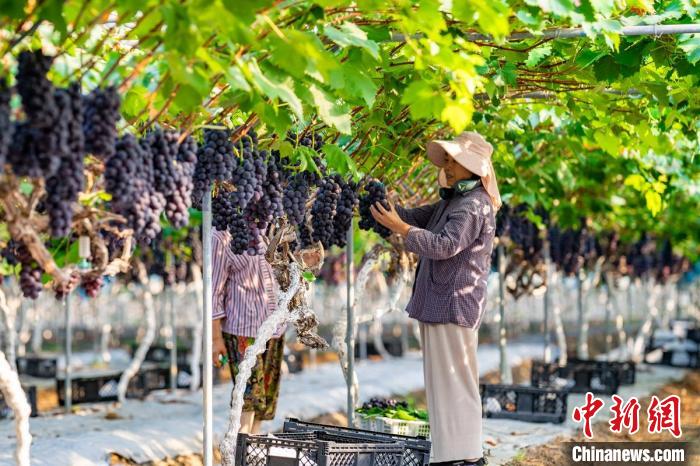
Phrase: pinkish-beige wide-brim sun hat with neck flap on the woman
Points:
(471, 151)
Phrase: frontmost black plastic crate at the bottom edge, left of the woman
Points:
(315, 449)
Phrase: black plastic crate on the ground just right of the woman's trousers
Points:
(522, 403)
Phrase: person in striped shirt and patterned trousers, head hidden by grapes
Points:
(244, 295)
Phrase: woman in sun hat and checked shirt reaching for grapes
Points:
(453, 239)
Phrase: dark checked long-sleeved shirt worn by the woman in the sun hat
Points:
(453, 239)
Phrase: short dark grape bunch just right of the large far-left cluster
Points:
(101, 117)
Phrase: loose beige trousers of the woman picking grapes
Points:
(452, 389)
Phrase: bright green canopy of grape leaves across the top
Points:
(604, 125)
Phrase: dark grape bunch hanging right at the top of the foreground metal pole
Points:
(215, 162)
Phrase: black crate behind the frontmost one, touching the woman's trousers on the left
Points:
(417, 449)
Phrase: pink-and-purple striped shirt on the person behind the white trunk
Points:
(244, 289)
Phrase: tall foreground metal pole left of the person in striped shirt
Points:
(207, 327)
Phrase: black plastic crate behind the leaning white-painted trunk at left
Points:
(99, 388)
